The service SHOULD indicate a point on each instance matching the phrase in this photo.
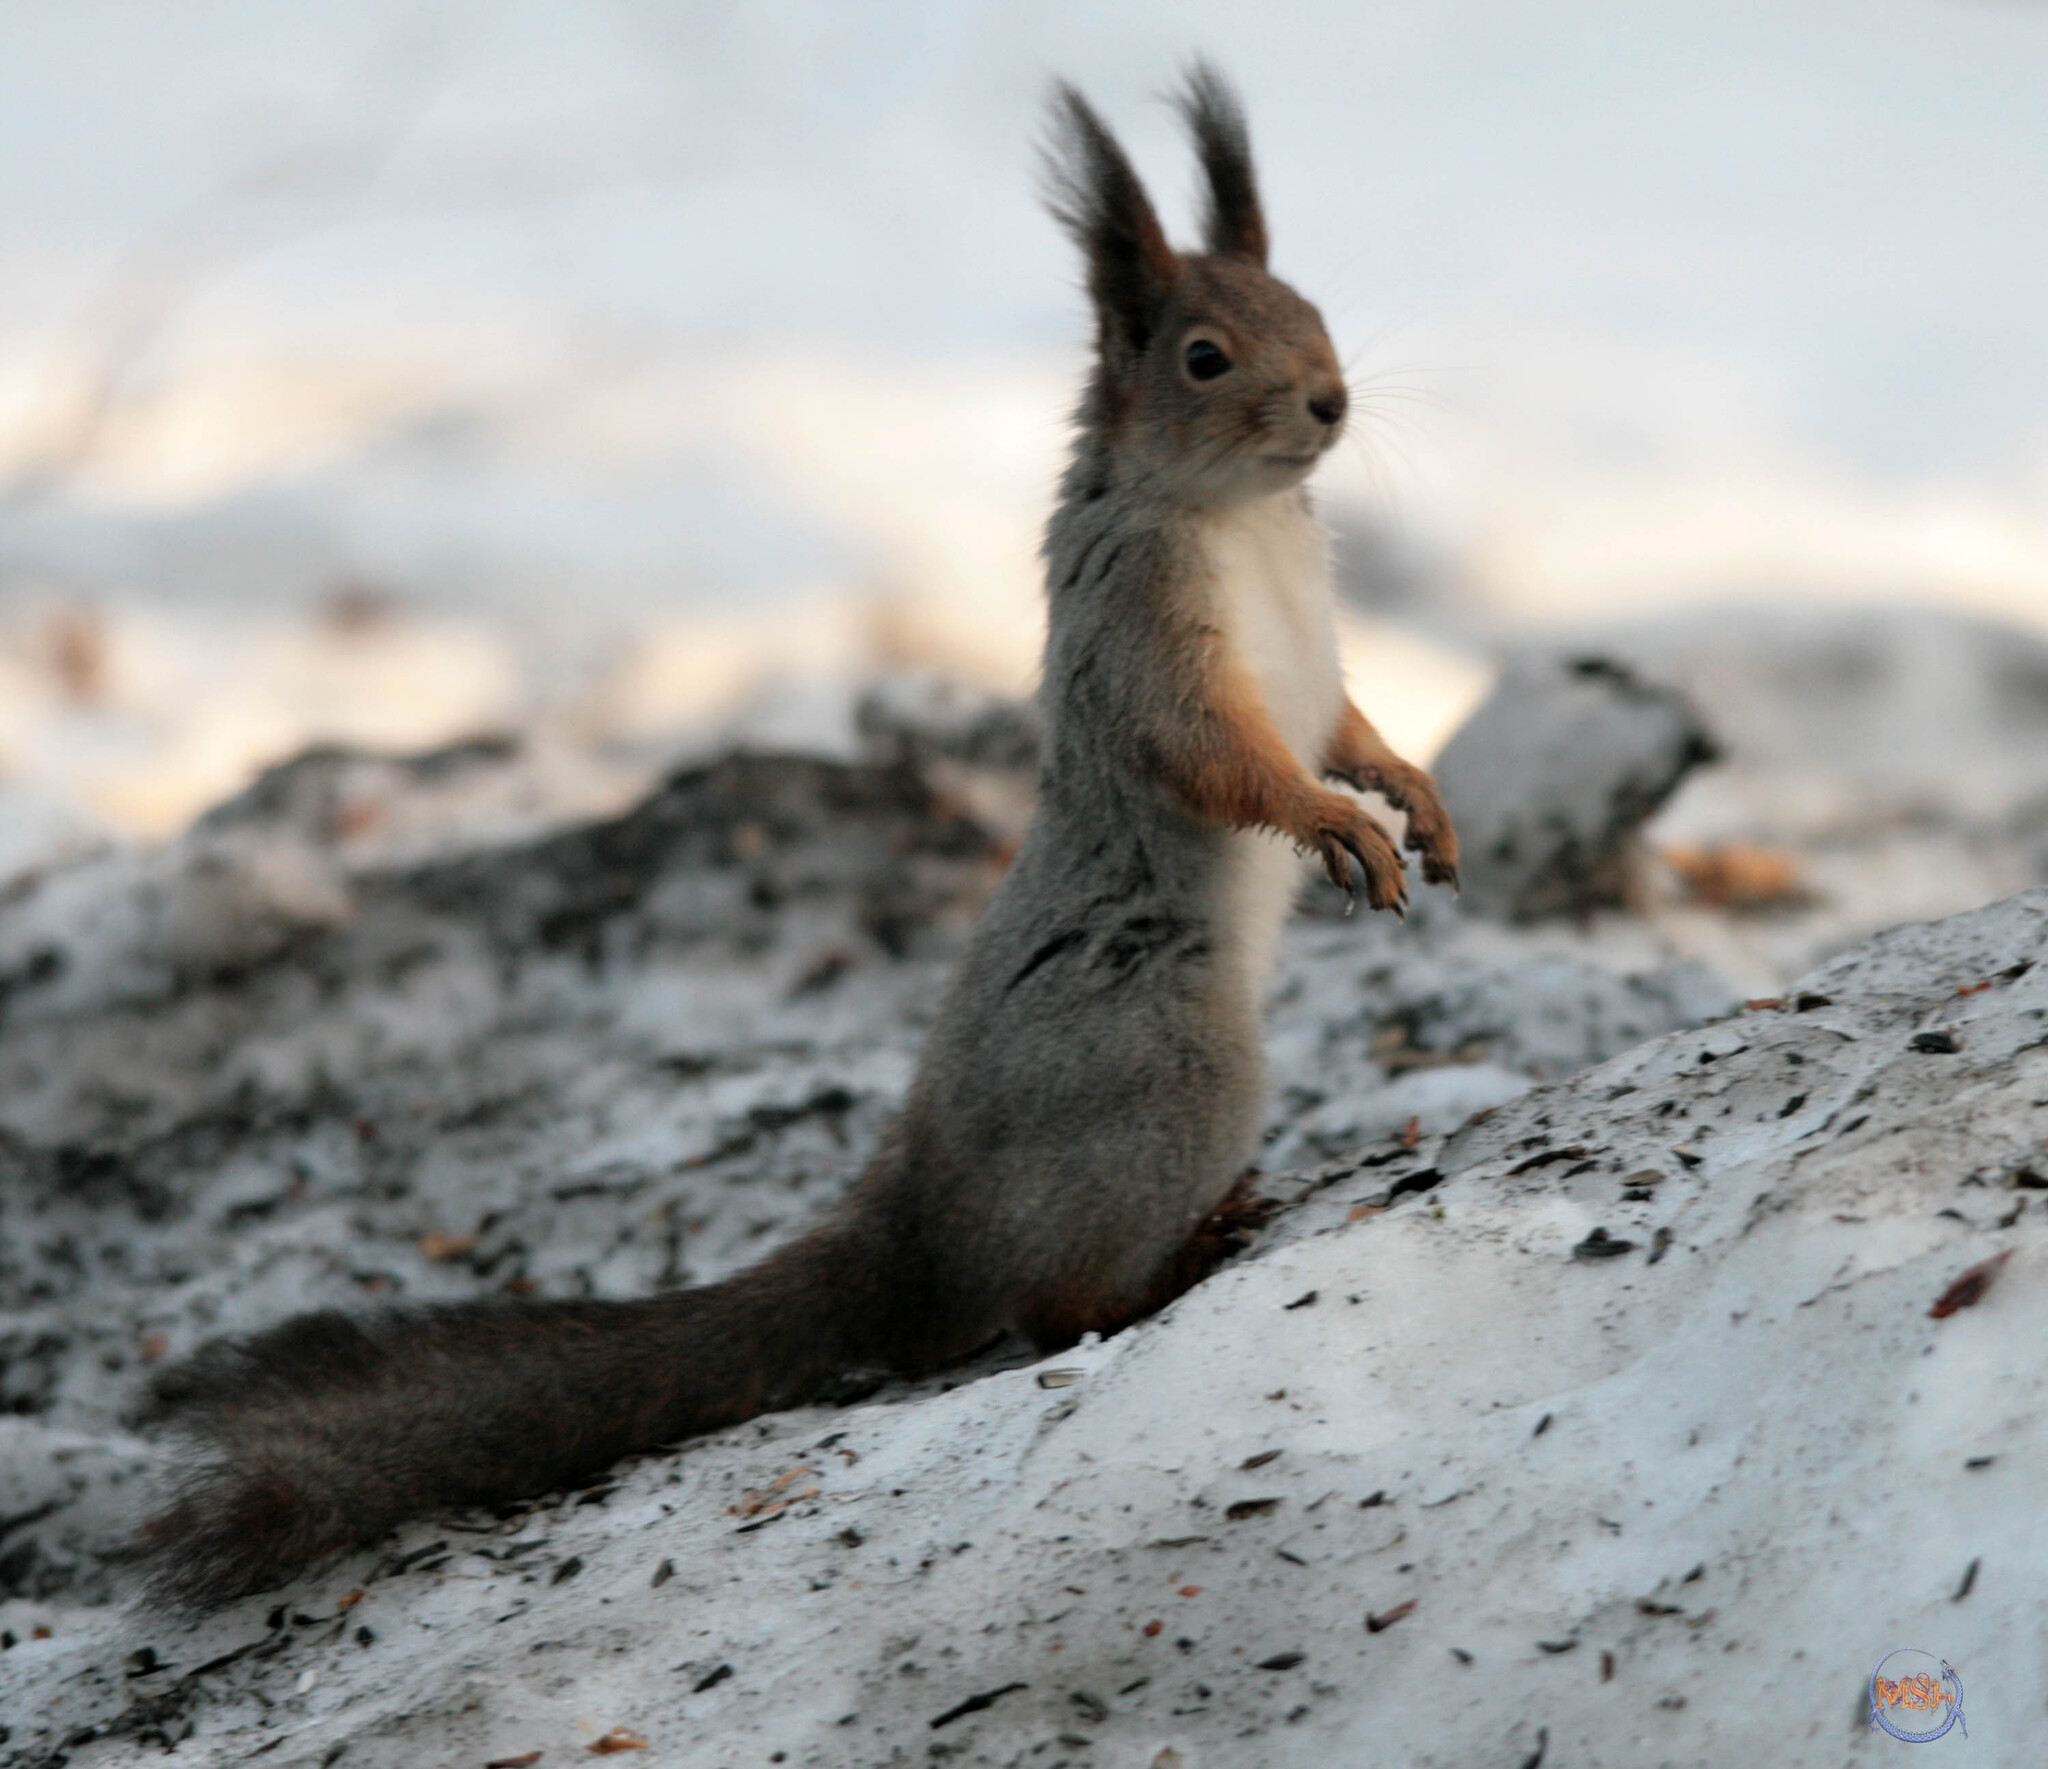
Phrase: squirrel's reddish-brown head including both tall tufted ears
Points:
(1213, 382)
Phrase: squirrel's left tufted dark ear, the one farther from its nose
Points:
(1099, 200)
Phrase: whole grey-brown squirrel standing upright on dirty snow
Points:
(1093, 1086)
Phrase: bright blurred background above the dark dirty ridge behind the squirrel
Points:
(634, 376)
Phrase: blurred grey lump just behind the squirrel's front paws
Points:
(1553, 777)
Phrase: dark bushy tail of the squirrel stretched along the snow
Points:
(329, 1430)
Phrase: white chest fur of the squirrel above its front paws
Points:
(1271, 570)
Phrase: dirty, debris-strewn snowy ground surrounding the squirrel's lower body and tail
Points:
(1582, 1404)
